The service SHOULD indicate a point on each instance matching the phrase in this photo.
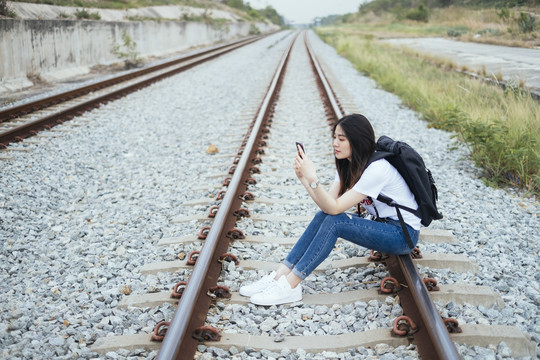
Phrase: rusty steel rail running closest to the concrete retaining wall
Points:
(39, 104)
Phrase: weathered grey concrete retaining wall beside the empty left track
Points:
(59, 49)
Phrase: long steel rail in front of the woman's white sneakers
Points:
(178, 342)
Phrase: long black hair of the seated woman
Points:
(361, 137)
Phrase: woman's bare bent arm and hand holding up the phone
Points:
(328, 201)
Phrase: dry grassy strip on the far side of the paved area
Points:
(465, 24)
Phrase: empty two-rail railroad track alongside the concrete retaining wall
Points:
(22, 121)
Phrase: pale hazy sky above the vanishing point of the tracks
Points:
(304, 11)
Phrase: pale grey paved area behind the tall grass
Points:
(511, 62)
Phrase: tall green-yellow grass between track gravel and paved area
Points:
(500, 127)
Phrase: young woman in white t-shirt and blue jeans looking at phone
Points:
(354, 143)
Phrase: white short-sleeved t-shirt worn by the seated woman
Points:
(382, 178)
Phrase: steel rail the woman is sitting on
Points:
(432, 339)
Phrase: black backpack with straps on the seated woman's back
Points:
(419, 179)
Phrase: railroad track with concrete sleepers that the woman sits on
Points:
(239, 219)
